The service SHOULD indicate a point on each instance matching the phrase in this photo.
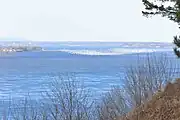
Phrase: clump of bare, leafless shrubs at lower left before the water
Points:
(65, 99)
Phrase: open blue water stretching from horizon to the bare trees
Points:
(97, 67)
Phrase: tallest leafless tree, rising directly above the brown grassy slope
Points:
(149, 75)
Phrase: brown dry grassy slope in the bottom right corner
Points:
(164, 105)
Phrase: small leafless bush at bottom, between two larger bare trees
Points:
(112, 105)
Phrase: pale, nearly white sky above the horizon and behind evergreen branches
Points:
(81, 20)
